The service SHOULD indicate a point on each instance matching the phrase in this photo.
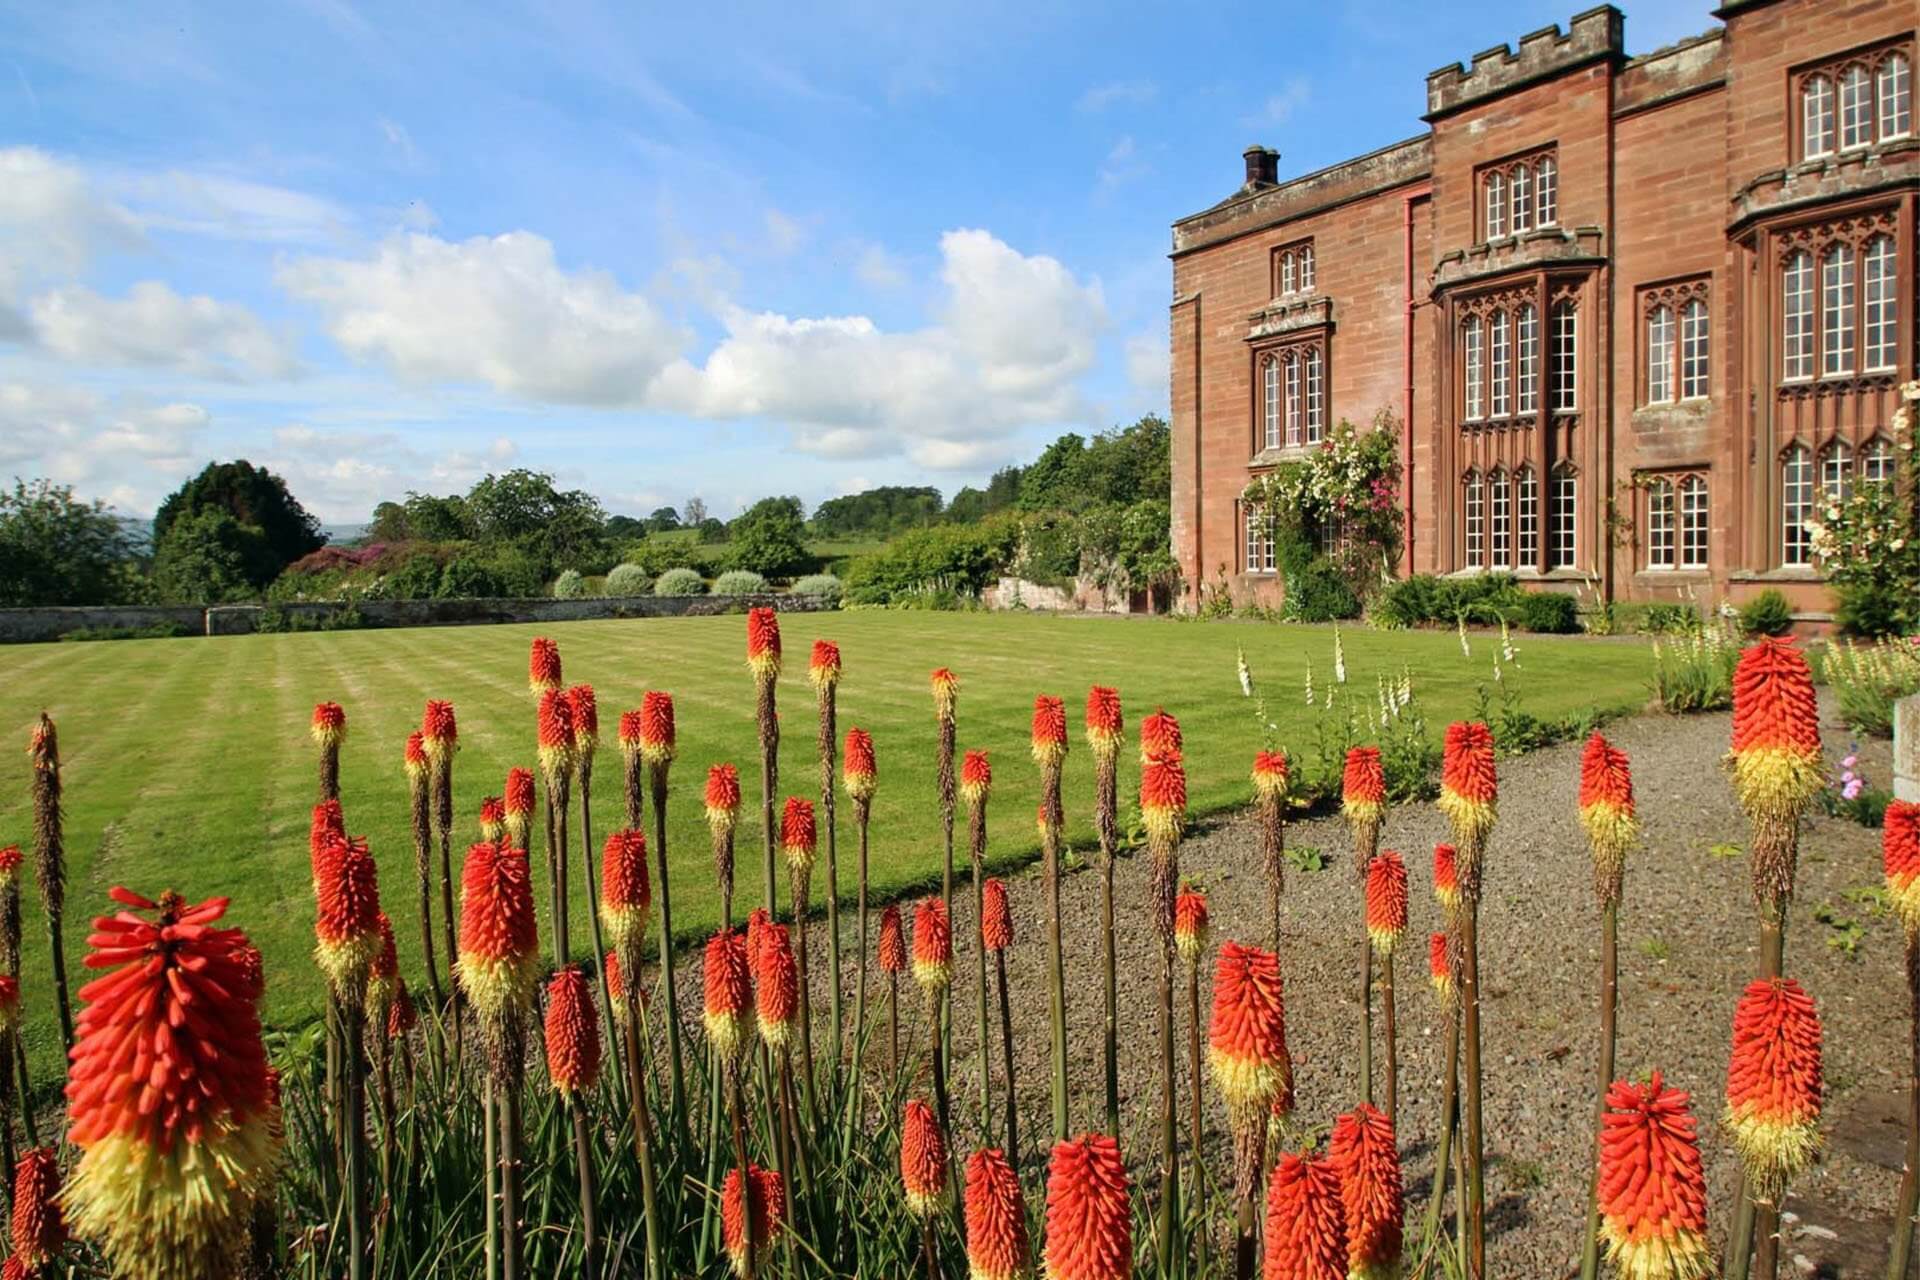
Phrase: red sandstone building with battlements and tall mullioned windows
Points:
(1633, 314)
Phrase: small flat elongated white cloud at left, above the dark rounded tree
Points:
(160, 329)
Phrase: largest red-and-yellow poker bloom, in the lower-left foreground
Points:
(180, 1143)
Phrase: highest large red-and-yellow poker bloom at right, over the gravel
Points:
(1777, 732)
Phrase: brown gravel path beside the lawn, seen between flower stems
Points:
(1689, 943)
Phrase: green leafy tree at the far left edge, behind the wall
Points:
(57, 550)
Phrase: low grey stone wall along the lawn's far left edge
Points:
(53, 623)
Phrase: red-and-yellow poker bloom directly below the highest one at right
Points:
(1773, 1083)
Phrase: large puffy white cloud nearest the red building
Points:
(1007, 350)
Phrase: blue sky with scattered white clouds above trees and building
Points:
(708, 250)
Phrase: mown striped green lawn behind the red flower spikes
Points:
(189, 765)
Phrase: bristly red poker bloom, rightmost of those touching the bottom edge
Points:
(1652, 1187)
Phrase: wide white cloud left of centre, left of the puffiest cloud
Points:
(496, 310)
